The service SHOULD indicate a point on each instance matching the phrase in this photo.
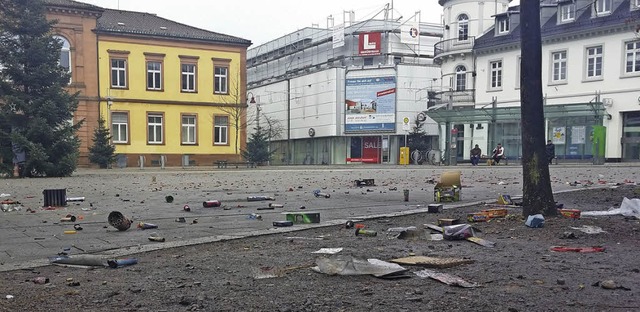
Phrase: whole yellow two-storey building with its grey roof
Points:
(171, 93)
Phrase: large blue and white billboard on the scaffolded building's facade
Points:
(370, 105)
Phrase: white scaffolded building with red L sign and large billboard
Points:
(341, 94)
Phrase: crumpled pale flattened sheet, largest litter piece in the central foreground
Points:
(352, 266)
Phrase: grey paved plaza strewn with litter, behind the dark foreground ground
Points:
(28, 239)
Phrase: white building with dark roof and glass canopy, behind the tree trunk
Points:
(590, 72)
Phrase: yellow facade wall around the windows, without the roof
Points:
(171, 102)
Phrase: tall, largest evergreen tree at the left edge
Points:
(36, 110)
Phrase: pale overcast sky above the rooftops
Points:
(264, 20)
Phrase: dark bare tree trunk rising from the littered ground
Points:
(537, 194)
